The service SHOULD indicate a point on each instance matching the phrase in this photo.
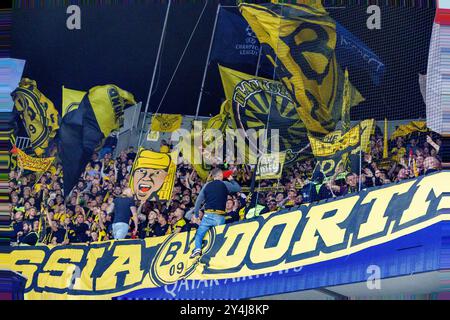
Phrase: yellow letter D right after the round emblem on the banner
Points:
(232, 233)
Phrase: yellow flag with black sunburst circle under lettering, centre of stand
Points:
(258, 103)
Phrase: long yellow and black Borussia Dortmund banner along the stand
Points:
(305, 235)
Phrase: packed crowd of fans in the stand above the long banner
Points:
(40, 215)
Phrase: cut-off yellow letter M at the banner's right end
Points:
(419, 204)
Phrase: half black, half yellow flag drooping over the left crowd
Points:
(84, 129)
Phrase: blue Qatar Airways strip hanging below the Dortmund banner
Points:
(392, 259)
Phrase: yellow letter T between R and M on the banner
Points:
(376, 220)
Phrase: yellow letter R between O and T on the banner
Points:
(327, 228)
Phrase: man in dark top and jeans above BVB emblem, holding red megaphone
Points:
(214, 194)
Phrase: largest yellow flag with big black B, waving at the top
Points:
(300, 41)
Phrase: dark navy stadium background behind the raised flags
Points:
(118, 44)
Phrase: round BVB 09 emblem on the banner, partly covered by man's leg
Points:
(172, 261)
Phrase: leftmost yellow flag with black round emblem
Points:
(39, 115)
